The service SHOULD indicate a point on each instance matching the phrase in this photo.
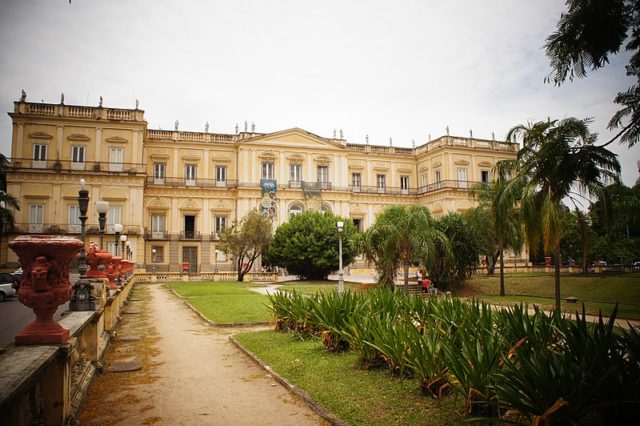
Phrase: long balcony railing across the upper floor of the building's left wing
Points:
(60, 166)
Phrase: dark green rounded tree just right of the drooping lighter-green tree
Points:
(456, 260)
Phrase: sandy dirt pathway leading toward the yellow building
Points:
(199, 378)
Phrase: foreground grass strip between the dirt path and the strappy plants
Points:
(357, 396)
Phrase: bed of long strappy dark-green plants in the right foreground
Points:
(519, 364)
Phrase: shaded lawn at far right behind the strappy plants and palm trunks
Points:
(598, 292)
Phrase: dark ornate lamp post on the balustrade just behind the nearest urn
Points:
(82, 298)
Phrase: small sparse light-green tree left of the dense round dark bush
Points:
(246, 241)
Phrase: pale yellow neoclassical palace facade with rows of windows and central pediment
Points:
(173, 191)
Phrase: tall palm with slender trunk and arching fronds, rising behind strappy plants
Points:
(558, 160)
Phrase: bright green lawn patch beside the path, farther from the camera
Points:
(225, 302)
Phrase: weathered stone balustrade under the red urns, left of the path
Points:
(45, 384)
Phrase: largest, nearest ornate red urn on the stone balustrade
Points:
(45, 284)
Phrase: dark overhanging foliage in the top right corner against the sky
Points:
(587, 34)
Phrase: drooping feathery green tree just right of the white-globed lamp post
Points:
(401, 236)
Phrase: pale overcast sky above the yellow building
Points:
(402, 69)
